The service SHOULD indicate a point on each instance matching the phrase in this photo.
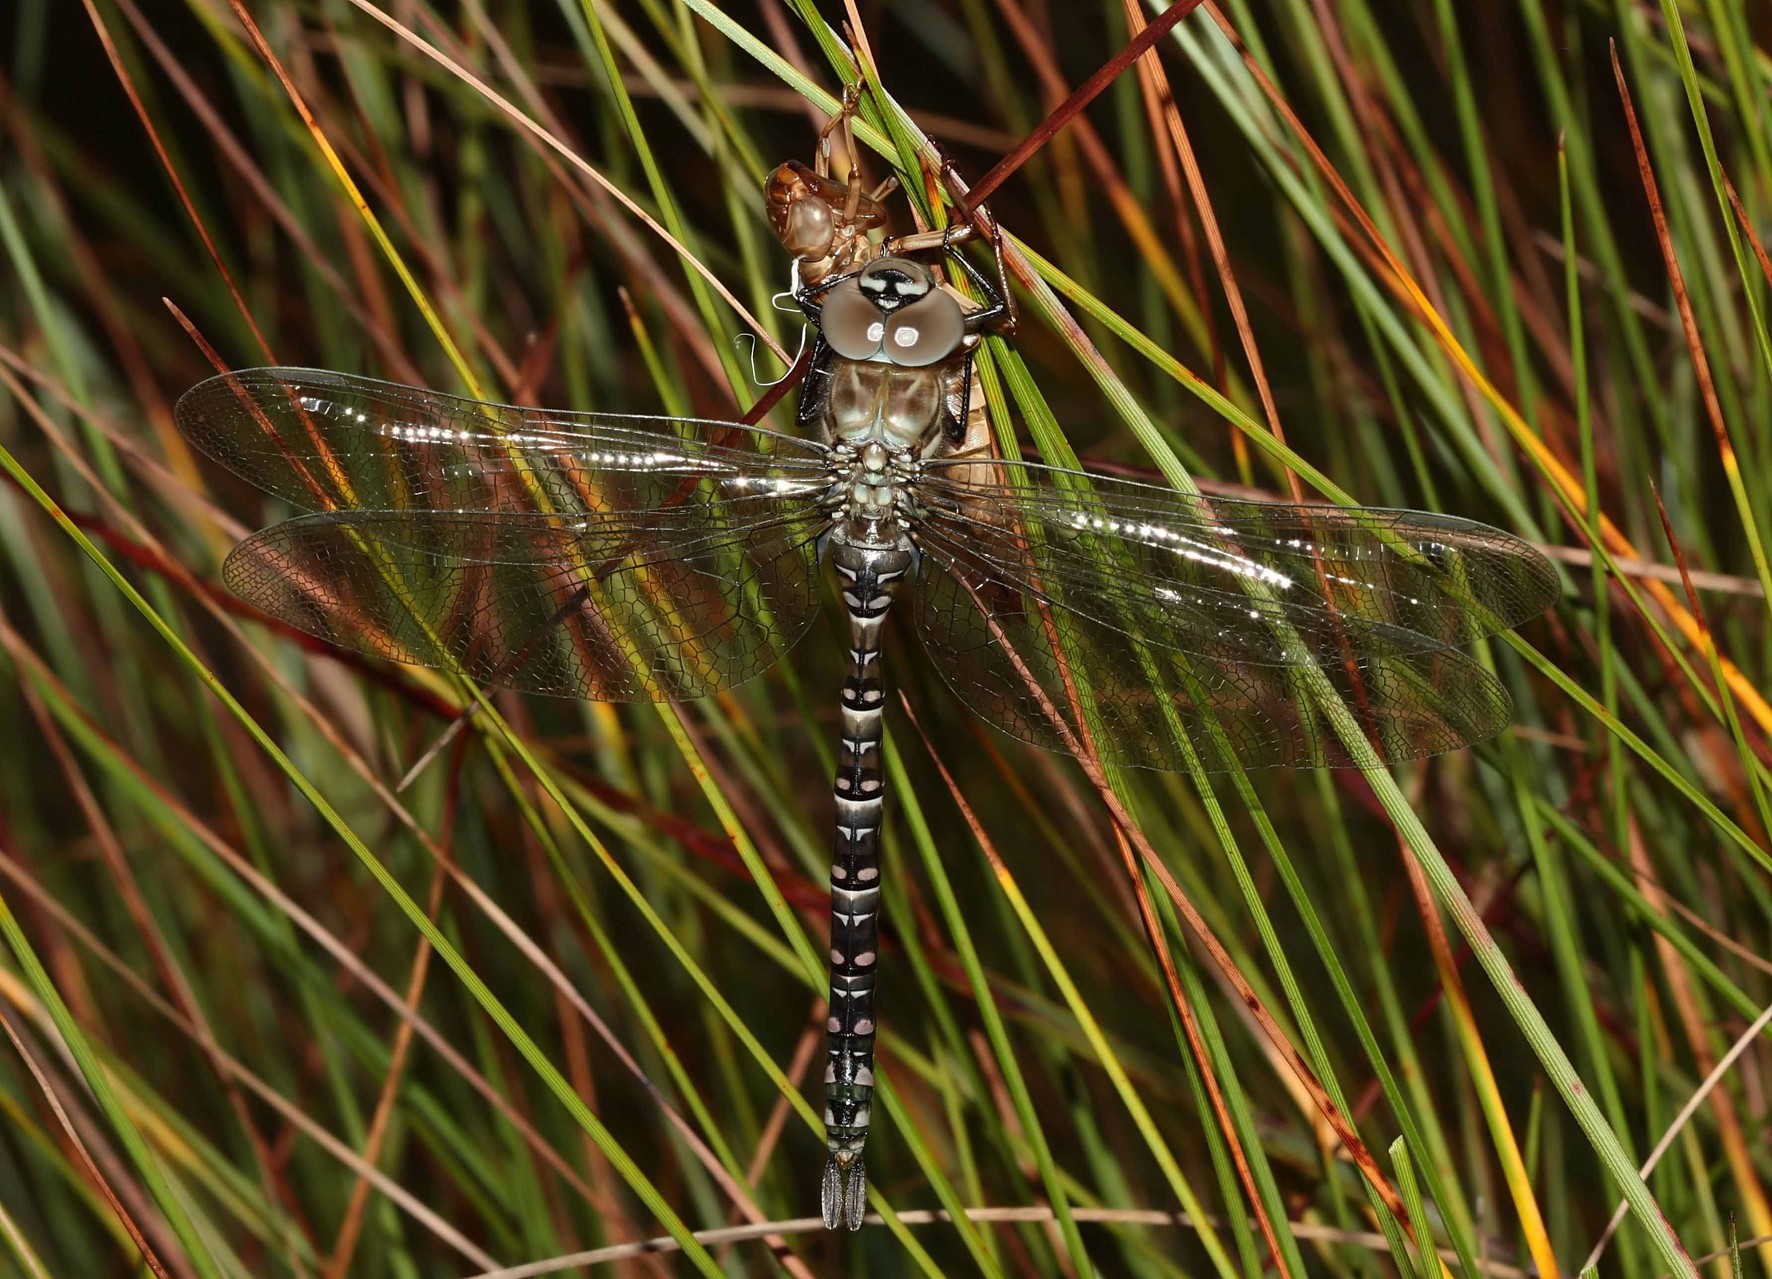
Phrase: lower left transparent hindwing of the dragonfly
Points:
(610, 608)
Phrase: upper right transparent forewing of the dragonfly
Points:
(1280, 584)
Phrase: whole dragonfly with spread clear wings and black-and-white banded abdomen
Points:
(651, 559)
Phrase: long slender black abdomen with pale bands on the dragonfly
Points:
(869, 580)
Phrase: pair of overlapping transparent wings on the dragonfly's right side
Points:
(1089, 614)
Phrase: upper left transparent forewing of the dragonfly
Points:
(336, 442)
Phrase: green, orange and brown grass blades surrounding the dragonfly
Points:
(270, 1019)
